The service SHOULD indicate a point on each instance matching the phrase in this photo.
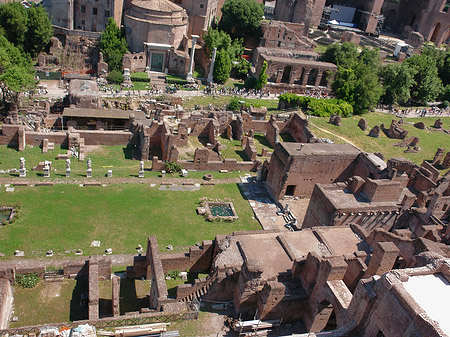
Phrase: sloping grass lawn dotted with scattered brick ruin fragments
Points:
(429, 140)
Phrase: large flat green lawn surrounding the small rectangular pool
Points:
(68, 217)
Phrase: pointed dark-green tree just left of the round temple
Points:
(113, 45)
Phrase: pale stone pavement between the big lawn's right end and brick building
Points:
(263, 206)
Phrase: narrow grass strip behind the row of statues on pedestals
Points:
(104, 158)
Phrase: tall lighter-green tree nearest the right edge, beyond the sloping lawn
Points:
(428, 85)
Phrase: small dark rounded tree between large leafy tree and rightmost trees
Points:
(397, 82)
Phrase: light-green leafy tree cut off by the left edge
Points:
(16, 71)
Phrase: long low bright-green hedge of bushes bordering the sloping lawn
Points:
(317, 107)
